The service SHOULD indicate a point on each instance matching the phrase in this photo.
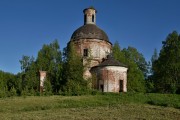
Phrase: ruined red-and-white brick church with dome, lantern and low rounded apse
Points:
(93, 44)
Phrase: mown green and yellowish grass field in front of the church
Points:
(99, 107)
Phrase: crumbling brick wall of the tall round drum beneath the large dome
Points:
(97, 51)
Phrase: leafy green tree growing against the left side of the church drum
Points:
(73, 72)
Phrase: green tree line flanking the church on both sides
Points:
(65, 70)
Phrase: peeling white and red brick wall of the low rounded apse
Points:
(109, 78)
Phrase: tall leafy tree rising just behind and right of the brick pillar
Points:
(50, 59)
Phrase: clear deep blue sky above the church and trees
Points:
(25, 25)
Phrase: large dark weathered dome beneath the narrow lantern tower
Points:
(89, 31)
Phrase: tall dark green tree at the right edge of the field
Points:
(167, 67)
